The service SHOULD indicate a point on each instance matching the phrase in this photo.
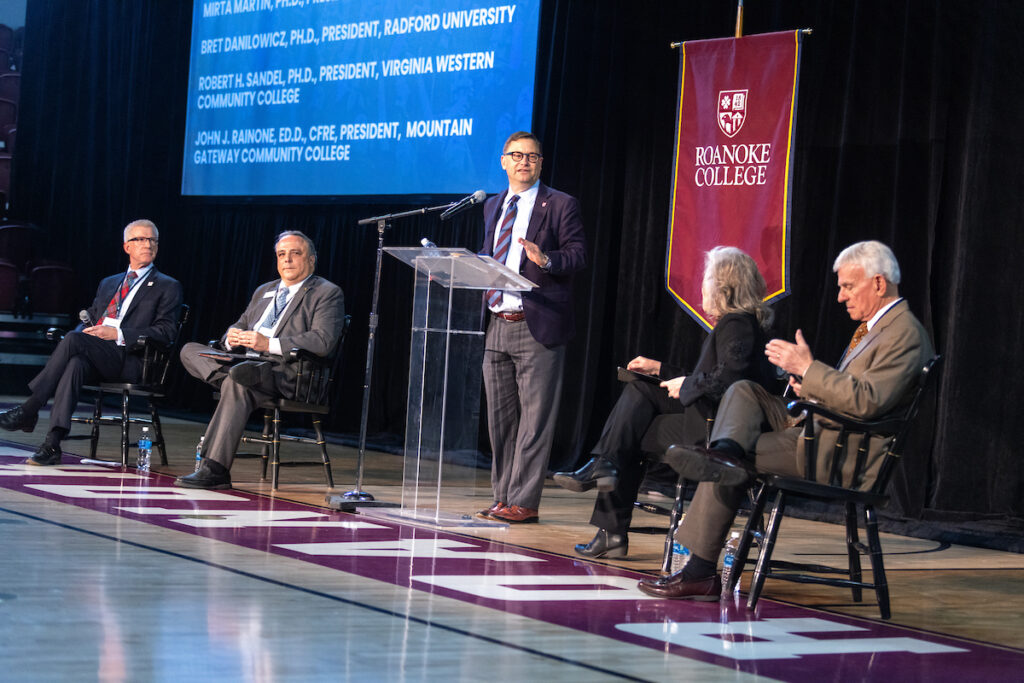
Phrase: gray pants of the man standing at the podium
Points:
(523, 380)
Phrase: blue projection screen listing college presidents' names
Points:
(294, 98)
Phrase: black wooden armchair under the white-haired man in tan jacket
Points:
(859, 492)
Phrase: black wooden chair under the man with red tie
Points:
(152, 388)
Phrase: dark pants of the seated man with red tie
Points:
(78, 360)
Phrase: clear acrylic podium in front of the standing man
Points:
(445, 377)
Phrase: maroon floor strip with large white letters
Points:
(781, 642)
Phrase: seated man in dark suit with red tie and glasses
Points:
(141, 303)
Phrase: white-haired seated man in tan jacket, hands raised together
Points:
(876, 378)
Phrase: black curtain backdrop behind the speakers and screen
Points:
(909, 132)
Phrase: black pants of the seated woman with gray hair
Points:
(632, 431)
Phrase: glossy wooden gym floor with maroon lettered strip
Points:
(115, 577)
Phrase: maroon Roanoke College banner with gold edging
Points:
(732, 181)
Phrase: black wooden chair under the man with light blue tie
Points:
(312, 397)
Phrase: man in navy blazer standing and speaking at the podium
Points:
(536, 232)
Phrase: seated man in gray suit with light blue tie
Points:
(301, 311)
